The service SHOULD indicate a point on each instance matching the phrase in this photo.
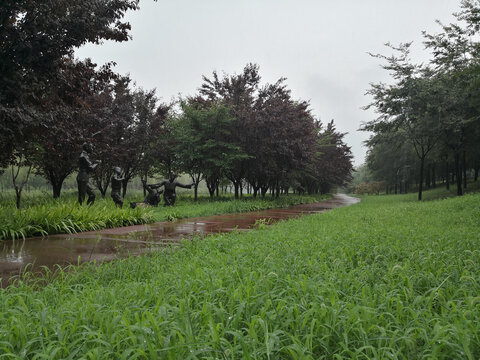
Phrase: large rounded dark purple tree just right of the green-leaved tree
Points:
(280, 138)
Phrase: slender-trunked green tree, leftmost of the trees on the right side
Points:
(412, 107)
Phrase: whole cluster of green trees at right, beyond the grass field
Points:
(428, 125)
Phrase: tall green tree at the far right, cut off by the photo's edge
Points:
(456, 60)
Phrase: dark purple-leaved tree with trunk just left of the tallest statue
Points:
(71, 113)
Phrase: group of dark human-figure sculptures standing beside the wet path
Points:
(86, 166)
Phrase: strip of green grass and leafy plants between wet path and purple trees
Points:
(43, 215)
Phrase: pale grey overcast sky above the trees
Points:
(320, 46)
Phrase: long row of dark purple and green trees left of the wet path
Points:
(234, 129)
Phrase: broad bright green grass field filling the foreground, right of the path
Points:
(388, 278)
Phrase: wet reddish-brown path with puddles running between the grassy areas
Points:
(108, 244)
